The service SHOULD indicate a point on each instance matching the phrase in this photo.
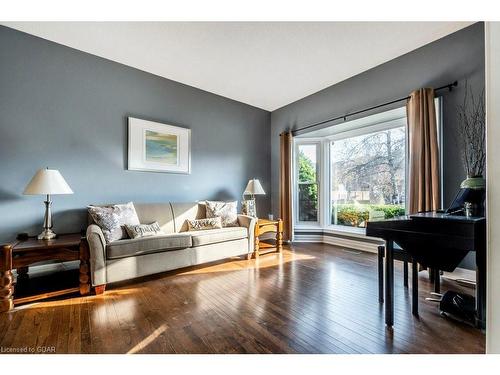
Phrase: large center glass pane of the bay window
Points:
(368, 177)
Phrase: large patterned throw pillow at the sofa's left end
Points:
(112, 219)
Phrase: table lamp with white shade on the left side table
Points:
(47, 182)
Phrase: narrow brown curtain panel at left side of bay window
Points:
(286, 184)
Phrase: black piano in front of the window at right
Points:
(438, 240)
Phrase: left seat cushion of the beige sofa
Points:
(147, 245)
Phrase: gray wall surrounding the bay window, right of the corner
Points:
(458, 56)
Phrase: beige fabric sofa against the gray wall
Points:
(129, 258)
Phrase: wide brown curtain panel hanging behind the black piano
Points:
(424, 194)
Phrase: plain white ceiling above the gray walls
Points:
(264, 64)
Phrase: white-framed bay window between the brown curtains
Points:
(353, 172)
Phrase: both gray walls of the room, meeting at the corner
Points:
(66, 109)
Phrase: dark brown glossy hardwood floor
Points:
(314, 298)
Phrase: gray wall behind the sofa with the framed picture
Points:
(66, 109)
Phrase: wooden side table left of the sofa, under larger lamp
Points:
(22, 254)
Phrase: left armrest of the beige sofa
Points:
(97, 247)
